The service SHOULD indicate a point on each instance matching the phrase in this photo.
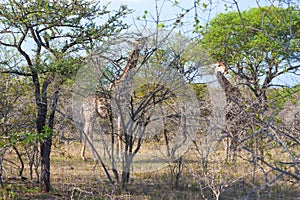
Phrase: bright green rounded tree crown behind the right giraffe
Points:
(259, 45)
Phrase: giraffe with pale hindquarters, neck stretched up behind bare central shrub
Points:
(100, 106)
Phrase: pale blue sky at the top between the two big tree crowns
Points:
(168, 12)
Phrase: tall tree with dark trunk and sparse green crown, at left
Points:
(52, 37)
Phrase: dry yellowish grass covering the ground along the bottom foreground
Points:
(72, 178)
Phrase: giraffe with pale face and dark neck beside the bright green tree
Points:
(233, 115)
